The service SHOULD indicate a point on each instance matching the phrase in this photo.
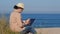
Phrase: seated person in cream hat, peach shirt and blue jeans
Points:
(16, 23)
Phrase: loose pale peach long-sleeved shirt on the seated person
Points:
(16, 22)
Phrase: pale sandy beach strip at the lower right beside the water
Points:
(48, 30)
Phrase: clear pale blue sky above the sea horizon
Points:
(32, 6)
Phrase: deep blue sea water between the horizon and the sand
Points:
(42, 20)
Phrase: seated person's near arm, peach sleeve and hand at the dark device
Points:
(20, 22)
